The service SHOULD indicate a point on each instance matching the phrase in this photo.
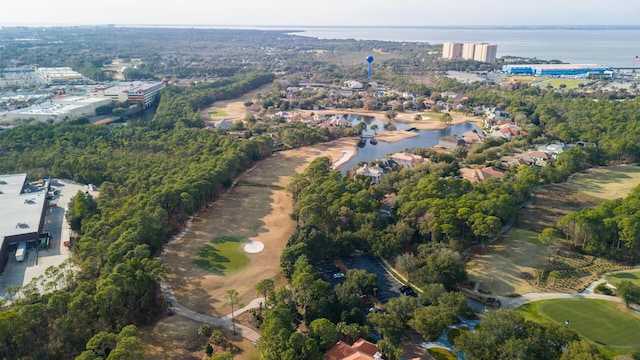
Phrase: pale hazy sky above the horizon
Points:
(321, 12)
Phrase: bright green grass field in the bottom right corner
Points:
(598, 321)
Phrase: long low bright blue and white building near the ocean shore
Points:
(557, 70)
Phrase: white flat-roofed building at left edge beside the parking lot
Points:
(22, 208)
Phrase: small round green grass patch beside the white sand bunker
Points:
(222, 255)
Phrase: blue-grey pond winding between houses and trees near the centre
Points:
(425, 139)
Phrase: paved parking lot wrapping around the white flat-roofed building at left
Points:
(37, 260)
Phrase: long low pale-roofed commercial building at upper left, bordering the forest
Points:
(58, 109)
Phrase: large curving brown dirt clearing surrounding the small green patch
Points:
(256, 209)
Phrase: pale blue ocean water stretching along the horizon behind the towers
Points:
(601, 45)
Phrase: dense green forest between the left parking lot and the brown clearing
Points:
(151, 177)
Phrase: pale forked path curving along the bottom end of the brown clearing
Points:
(224, 322)
